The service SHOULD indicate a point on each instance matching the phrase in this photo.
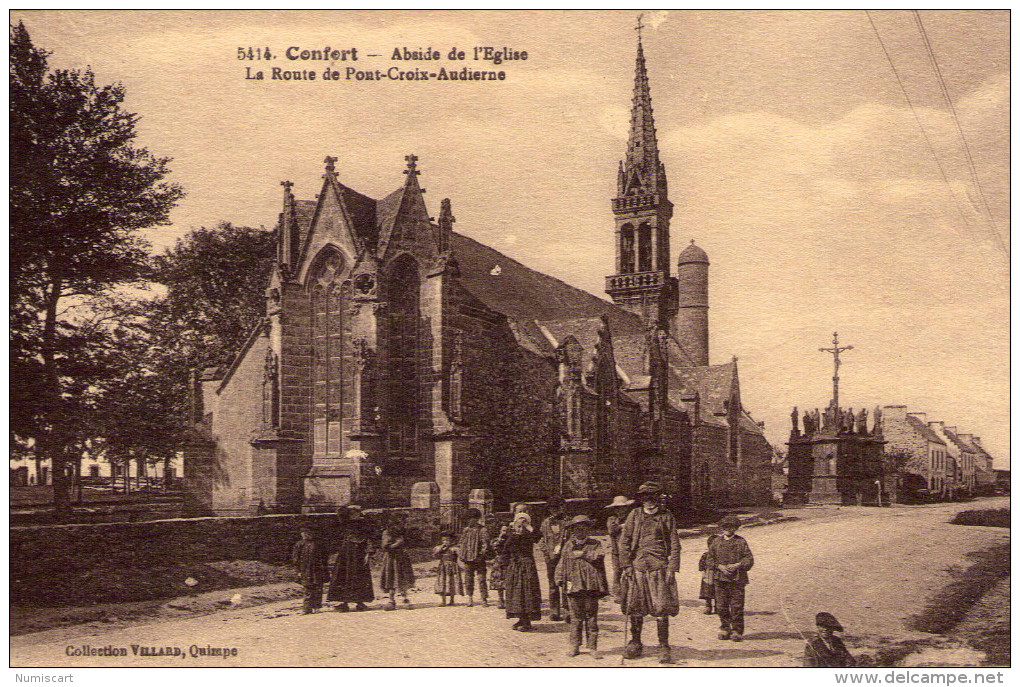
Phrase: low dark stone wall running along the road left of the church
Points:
(59, 556)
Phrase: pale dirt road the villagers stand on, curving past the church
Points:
(873, 568)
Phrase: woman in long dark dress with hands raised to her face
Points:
(524, 597)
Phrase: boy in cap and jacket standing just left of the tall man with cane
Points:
(582, 576)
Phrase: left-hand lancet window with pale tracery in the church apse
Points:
(328, 352)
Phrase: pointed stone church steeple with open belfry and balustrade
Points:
(643, 283)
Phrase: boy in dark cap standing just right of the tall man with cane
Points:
(731, 559)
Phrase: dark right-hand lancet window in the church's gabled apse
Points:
(404, 353)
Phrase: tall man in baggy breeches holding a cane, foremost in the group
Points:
(650, 556)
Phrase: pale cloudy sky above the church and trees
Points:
(793, 157)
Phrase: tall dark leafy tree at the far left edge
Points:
(81, 191)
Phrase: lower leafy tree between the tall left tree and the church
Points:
(212, 293)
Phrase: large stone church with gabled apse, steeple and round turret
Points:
(398, 355)
